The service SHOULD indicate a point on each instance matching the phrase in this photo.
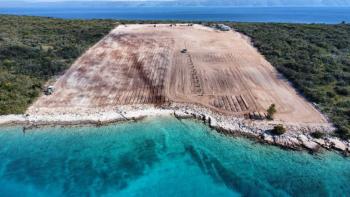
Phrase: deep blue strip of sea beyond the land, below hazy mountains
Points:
(292, 15)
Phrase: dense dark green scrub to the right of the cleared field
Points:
(315, 58)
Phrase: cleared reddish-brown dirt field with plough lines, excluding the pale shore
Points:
(143, 64)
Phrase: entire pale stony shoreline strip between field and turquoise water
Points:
(297, 136)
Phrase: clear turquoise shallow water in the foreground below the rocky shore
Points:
(160, 157)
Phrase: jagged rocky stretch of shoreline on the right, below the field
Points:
(297, 136)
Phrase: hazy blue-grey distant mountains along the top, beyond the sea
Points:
(236, 3)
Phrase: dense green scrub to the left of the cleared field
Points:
(33, 49)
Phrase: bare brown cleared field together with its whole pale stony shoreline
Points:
(186, 70)
